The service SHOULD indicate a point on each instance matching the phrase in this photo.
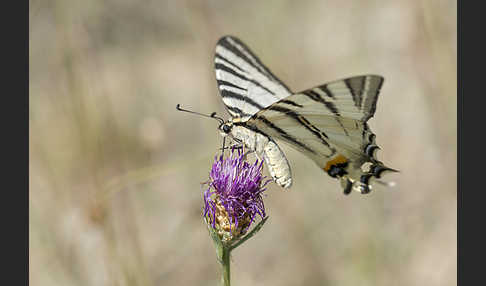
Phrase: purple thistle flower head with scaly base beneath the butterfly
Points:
(234, 196)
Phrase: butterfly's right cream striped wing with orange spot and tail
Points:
(328, 124)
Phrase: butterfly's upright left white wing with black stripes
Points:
(245, 84)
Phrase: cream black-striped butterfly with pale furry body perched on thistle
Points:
(327, 123)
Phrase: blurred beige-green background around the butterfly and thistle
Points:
(116, 171)
